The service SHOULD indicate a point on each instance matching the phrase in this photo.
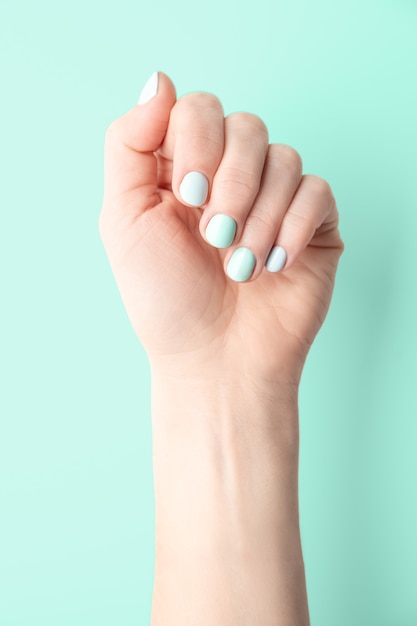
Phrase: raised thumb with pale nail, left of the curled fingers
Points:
(130, 166)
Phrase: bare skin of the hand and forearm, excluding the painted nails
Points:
(226, 357)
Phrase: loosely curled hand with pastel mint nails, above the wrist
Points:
(190, 302)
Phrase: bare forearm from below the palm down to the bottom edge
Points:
(228, 547)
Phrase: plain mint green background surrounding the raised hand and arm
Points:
(337, 80)
